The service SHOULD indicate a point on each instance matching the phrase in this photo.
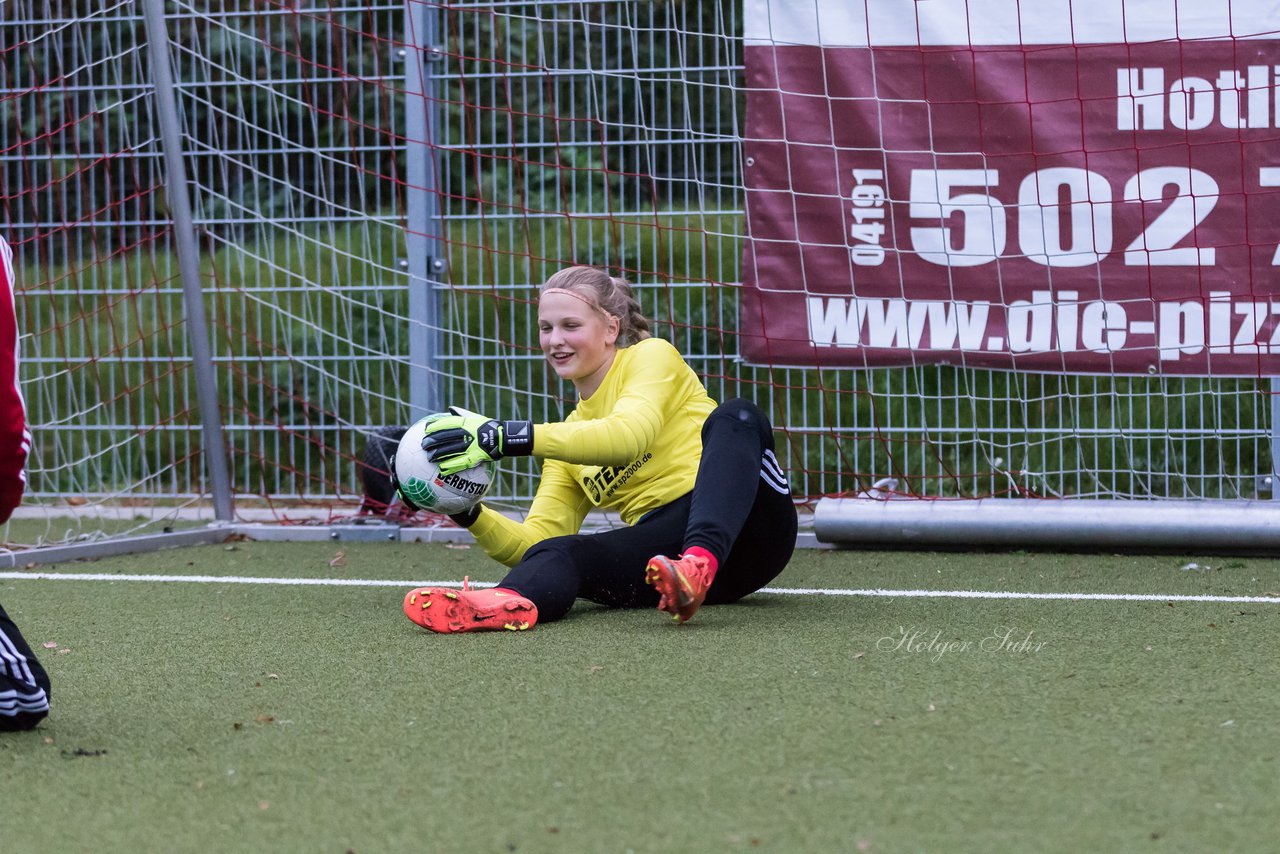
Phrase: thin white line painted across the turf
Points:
(830, 592)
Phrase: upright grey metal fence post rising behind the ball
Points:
(428, 266)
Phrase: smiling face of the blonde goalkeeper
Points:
(578, 340)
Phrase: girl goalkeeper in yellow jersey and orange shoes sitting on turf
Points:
(708, 509)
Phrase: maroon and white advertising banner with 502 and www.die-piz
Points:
(1053, 186)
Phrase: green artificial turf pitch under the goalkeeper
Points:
(193, 718)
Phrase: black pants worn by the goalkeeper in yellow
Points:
(740, 512)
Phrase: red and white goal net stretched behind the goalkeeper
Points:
(948, 258)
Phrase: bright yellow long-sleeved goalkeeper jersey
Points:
(632, 447)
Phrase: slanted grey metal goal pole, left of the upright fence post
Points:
(189, 259)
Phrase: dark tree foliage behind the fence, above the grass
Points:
(298, 109)
